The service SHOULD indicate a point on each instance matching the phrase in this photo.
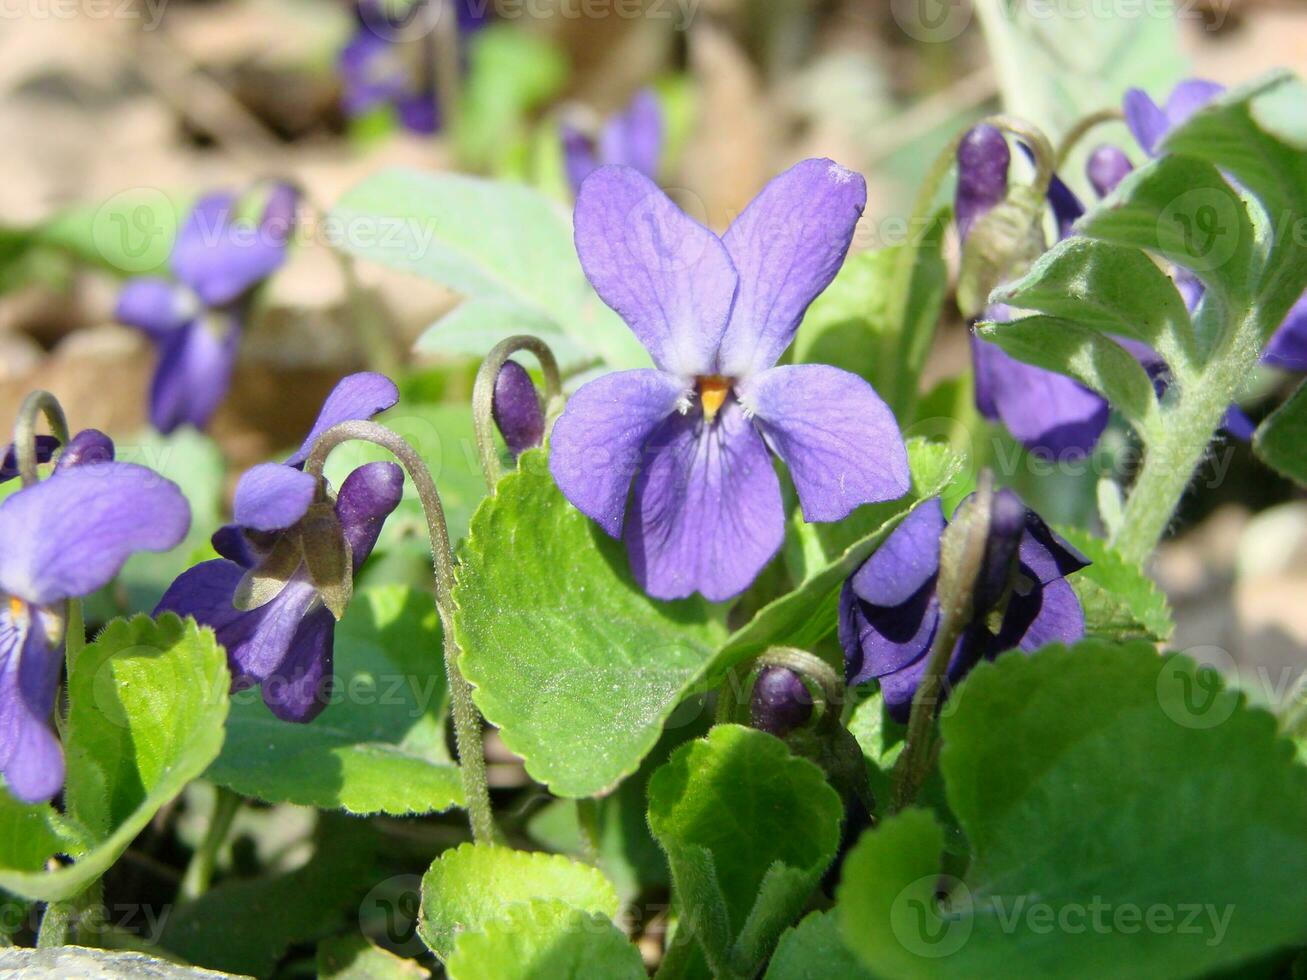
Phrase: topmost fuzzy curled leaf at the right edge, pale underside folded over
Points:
(1258, 134)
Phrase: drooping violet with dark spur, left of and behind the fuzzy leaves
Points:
(1046, 412)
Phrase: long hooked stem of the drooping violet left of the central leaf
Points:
(467, 722)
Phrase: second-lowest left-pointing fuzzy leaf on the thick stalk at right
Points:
(1110, 289)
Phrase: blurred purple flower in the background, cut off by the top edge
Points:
(388, 62)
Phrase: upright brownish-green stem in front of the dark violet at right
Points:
(961, 556)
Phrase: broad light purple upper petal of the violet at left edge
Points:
(70, 535)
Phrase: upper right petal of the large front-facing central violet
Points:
(787, 246)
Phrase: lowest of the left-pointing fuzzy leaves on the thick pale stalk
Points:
(1089, 357)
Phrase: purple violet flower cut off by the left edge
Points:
(66, 538)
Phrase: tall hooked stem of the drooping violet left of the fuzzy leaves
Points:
(908, 351)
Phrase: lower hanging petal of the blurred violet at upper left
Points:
(194, 373)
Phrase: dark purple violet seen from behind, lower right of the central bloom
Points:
(889, 611)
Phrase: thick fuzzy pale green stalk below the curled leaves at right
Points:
(1176, 449)
